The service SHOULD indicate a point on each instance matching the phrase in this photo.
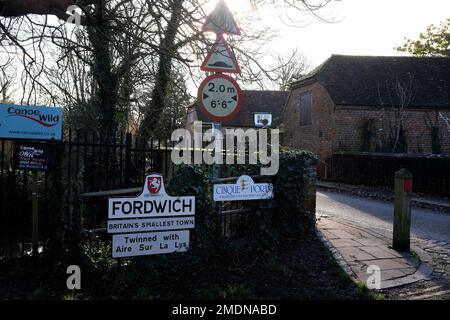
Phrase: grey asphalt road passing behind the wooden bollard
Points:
(426, 224)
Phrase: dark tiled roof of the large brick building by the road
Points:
(372, 81)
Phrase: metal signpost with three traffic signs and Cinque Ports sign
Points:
(220, 98)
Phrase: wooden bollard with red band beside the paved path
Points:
(402, 211)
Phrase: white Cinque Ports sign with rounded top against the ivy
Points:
(244, 189)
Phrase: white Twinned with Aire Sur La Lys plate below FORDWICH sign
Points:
(143, 244)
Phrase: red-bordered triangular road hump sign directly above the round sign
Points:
(221, 58)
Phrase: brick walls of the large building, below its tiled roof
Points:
(337, 128)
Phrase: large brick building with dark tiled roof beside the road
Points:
(370, 104)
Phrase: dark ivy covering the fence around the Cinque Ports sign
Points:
(291, 213)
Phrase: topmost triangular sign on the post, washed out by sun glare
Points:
(221, 21)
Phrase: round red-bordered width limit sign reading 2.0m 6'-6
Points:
(220, 97)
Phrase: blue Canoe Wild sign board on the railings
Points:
(29, 122)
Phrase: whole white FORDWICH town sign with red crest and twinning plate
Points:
(152, 223)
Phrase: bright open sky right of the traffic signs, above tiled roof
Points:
(364, 27)
